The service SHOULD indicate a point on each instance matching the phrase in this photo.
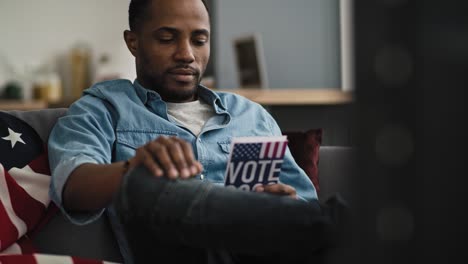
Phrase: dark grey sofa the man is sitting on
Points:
(96, 240)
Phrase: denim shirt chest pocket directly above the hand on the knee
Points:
(134, 139)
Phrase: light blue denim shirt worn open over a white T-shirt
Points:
(114, 118)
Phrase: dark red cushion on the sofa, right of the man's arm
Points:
(304, 146)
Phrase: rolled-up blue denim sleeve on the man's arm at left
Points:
(84, 135)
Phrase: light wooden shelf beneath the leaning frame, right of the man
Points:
(311, 96)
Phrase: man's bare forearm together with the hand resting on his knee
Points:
(90, 187)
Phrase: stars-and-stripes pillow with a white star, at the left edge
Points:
(24, 182)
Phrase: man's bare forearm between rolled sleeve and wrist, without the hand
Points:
(91, 187)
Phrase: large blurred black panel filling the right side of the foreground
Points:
(411, 81)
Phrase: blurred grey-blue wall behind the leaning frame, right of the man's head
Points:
(300, 38)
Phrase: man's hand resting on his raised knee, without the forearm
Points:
(168, 156)
